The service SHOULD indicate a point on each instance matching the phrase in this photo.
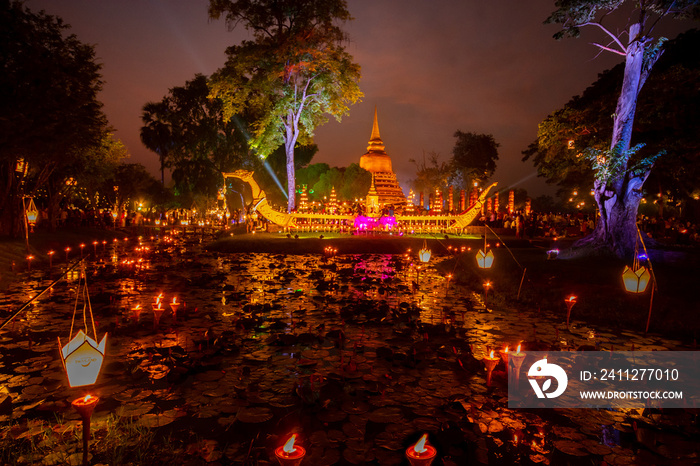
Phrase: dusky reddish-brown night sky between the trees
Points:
(430, 68)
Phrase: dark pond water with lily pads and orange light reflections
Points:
(358, 354)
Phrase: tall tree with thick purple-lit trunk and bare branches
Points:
(619, 171)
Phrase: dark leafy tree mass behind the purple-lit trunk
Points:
(669, 113)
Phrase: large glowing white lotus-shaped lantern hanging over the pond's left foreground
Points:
(82, 357)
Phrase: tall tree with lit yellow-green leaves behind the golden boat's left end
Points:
(292, 74)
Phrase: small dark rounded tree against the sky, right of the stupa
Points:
(474, 157)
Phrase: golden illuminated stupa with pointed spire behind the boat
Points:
(377, 162)
